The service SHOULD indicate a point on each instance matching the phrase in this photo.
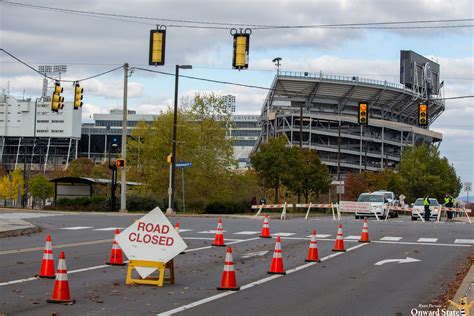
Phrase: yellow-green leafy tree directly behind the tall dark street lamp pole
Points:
(202, 139)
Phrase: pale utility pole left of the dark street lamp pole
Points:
(123, 168)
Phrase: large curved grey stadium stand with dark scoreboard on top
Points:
(320, 112)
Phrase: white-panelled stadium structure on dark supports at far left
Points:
(31, 134)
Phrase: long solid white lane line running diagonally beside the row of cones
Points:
(250, 285)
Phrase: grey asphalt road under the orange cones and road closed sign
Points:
(343, 284)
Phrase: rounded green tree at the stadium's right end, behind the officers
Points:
(422, 171)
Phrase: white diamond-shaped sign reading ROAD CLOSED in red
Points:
(151, 238)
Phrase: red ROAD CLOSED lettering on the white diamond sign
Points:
(154, 234)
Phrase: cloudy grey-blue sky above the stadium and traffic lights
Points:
(90, 44)
